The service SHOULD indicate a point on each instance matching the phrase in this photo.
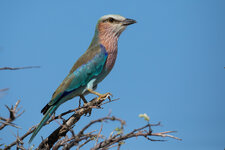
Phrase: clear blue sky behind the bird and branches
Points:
(170, 65)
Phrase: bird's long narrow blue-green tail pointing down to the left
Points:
(47, 115)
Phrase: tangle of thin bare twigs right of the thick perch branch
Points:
(116, 140)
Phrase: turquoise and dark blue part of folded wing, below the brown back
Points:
(83, 74)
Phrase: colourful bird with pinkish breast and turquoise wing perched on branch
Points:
(91, 68)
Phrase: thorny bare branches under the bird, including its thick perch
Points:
(60, 139)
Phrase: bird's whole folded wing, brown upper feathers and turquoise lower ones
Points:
(88, 66)
